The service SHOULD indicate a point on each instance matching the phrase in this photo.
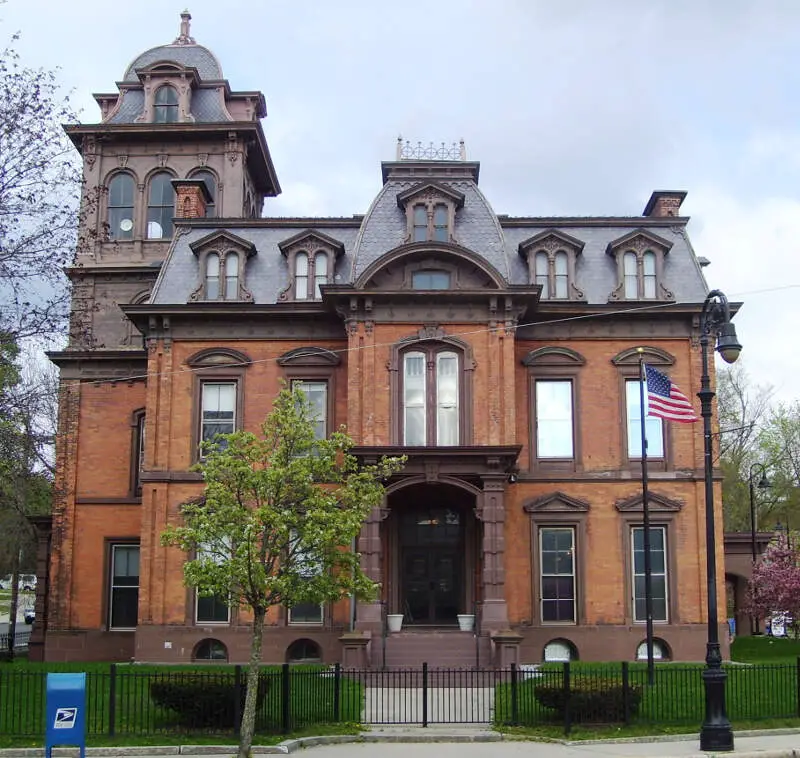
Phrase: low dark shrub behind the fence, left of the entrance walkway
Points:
(202, 702)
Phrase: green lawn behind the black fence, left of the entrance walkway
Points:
(312, 699)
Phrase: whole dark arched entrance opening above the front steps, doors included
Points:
(432, 553)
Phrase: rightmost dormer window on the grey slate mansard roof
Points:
(640, 261)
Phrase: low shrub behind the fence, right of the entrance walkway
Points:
(590, 702)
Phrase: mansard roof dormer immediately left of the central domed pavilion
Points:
(311, 257)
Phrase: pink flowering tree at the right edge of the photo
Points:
(775, 583)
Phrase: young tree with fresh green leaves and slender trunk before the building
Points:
(276, 523)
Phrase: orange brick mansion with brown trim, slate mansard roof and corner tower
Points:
(497, 352)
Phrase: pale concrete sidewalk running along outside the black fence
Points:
(448, 742)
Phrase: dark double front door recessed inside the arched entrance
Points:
(432, 565)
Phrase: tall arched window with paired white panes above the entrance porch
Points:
(431, 397)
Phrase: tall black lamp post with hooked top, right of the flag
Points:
(715, 732)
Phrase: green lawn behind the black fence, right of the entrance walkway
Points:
(753, 693)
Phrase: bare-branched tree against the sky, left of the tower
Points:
(40, 185)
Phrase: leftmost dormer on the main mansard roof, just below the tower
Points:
(221, 259)
